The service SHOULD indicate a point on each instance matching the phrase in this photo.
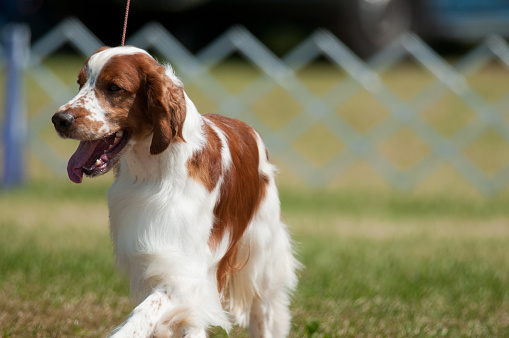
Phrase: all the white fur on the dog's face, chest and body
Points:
(160, 222)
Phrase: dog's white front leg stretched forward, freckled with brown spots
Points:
(143, 320)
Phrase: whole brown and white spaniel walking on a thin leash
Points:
(194, 210)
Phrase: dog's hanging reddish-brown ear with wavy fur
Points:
(166, 108)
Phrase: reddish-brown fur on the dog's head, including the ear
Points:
(147, 102)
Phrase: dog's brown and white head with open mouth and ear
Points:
(124, 96)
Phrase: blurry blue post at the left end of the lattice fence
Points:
(16, 37)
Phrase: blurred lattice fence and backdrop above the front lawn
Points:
(408, 95)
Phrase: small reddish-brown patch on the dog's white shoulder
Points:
(205, 166)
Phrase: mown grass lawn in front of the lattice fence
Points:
(377, 264)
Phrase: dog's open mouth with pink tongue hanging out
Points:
(96, 157)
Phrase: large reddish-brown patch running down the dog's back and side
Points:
(242, 191)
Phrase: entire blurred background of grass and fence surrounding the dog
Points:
(388, 121)
